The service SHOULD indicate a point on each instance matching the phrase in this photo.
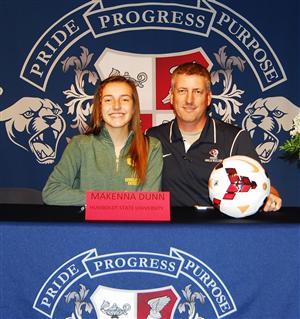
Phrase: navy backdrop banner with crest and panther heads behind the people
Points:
(55, 53)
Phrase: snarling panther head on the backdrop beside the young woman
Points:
(35, 125)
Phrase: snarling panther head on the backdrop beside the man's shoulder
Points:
(266, 118)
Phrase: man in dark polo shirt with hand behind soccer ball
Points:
(193, 143)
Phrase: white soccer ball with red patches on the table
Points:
(238, 186)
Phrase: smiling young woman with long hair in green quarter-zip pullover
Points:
(113, 154)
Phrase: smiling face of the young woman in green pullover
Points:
(117, 105)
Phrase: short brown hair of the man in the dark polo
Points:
(192, 68)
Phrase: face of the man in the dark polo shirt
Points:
(190, 98)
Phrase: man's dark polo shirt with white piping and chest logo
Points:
(186, 174)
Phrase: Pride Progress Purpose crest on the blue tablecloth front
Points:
(134, 285)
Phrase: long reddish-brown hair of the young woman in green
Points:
(138, 150)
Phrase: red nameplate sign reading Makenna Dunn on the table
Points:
(127, 206)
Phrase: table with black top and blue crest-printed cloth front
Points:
(55, 265)
